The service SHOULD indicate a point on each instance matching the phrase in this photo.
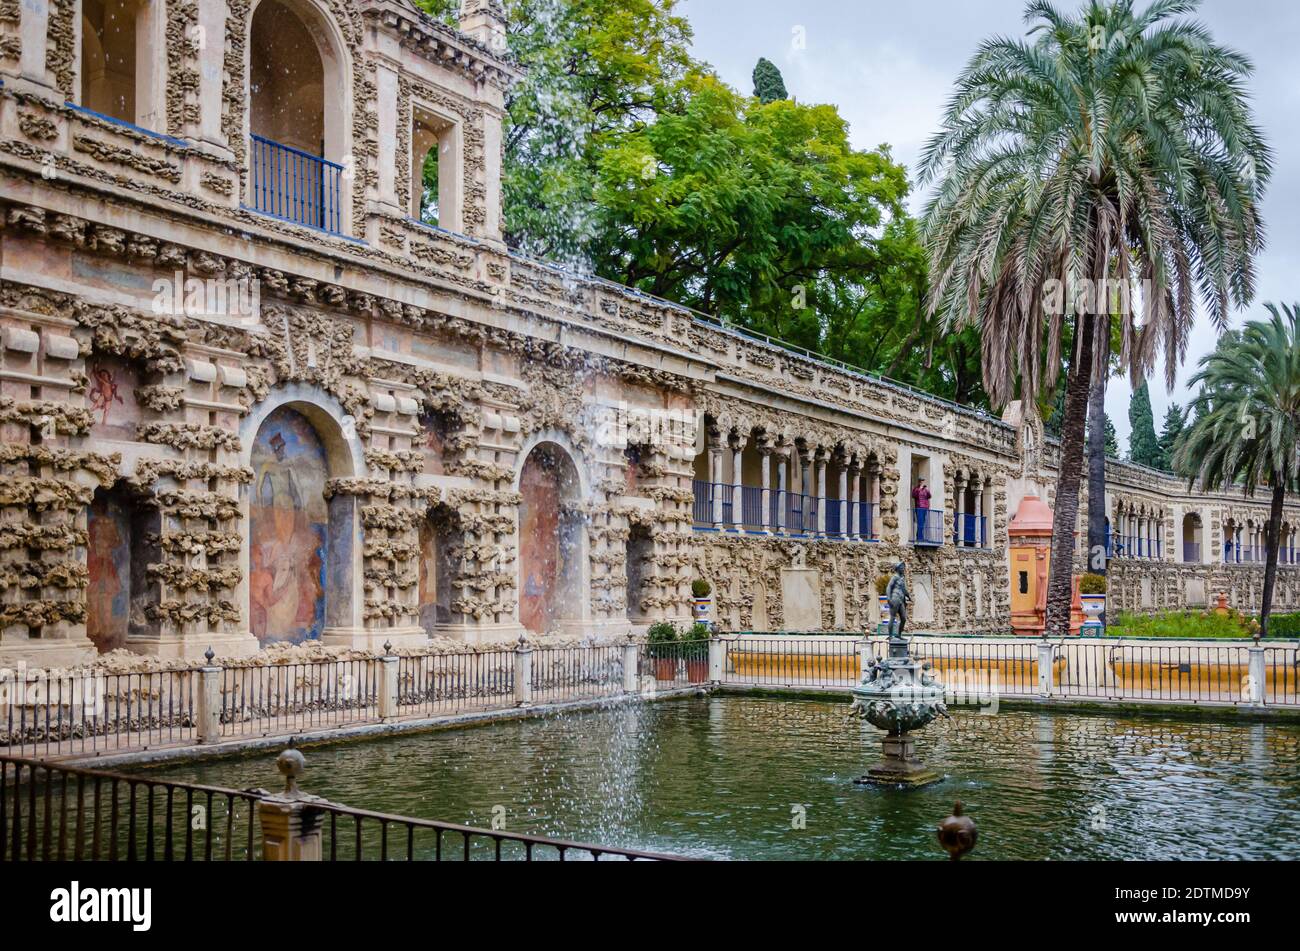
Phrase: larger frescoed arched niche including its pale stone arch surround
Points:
(304, 550)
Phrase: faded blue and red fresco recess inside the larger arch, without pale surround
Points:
(301, 546)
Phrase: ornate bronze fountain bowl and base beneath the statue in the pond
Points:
(899, 696)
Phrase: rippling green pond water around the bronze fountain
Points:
(729, 778)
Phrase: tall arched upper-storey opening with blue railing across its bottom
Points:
(297, 116)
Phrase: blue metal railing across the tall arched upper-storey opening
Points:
(297, 186)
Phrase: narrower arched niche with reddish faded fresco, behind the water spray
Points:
(552, 542)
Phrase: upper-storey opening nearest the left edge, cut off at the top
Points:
(120, 53)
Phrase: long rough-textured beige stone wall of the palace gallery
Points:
(431, 364)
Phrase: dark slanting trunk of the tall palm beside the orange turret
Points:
(1065, 511)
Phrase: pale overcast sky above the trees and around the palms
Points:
(890, 67)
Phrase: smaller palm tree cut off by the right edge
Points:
(1246, 429)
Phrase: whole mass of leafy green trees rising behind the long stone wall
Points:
(627, 158)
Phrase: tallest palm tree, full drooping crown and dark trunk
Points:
(1117, 145)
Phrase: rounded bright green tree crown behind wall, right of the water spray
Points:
(765, 215)
